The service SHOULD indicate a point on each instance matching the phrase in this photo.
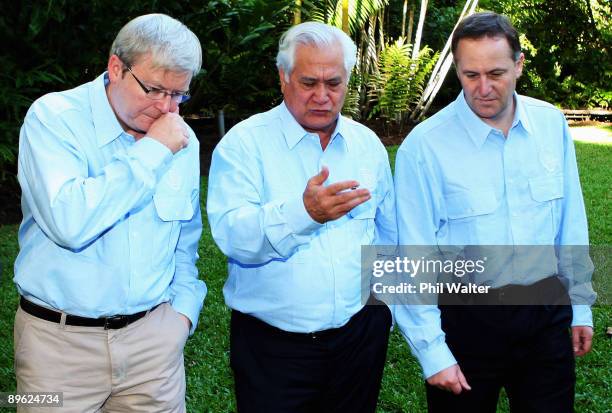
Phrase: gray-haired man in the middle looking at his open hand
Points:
(283, 207)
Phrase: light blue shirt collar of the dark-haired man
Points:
(477, 129)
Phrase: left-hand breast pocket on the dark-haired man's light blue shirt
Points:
(471, 217)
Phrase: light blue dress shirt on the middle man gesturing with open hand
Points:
(285, 268)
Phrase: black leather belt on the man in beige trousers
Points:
(109, 323)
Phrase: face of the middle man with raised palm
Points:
(316, 88)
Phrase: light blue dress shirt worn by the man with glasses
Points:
(110, 225)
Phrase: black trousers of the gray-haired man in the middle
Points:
(338, 370)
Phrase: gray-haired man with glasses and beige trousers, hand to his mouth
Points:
(111, 222)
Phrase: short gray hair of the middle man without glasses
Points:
(318, 35)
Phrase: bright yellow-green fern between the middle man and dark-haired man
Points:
(400, 80)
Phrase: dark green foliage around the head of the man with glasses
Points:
(59, 44)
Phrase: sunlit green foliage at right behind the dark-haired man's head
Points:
(568, 54)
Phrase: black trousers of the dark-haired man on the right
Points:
(525, 349)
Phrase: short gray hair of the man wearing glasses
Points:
(171, 44)
